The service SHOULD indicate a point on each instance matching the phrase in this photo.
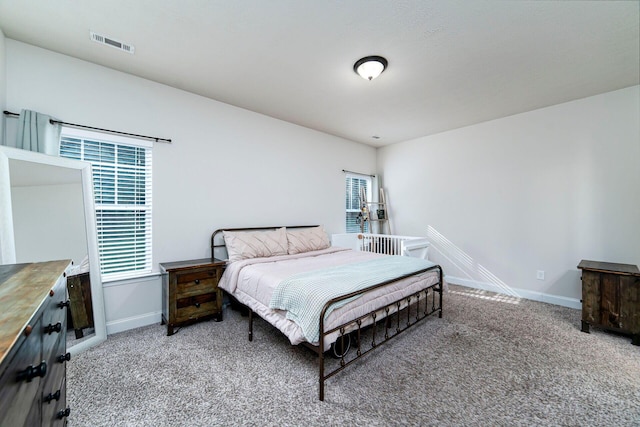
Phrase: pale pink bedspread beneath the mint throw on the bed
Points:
(253, 281)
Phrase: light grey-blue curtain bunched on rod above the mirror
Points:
(37, 133)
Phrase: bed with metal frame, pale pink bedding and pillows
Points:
(328, 299)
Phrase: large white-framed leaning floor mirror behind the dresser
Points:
(47, 213)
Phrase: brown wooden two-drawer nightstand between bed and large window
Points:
(190, 291)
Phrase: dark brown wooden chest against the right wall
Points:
(611, 297)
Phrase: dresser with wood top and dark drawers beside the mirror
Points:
(33, 344)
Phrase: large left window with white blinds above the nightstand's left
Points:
(122, 191)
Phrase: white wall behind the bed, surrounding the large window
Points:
(226, 166)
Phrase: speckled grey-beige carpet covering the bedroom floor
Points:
(491, 360)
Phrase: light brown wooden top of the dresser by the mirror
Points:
(23, 289)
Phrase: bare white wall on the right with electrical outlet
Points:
(535, 191)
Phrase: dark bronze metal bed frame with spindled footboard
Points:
(407, 311)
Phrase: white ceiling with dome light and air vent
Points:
(451, 63)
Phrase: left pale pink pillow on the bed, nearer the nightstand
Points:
(255, 244)
